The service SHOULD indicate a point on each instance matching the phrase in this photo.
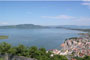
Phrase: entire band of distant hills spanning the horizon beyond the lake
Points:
(32, 26)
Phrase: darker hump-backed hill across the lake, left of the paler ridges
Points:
(23, 26)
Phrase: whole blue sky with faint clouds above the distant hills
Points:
(45, 12)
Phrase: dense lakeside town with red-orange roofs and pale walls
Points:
(75, 46)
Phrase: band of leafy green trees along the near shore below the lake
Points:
(31, 52)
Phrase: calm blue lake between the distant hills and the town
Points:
(47, 38)
